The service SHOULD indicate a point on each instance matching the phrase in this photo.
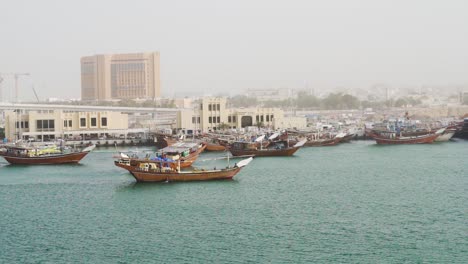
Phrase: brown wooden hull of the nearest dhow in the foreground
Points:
(183, 176)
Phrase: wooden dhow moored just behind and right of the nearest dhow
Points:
(241, 148)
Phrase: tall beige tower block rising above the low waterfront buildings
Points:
(120, 76)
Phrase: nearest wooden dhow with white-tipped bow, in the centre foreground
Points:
(159, 171)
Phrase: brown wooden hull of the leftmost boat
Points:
(46, 160)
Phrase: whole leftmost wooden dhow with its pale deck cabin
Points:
(43, 155)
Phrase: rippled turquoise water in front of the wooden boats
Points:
(353, 203)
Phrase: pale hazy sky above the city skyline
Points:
(215, 46)
